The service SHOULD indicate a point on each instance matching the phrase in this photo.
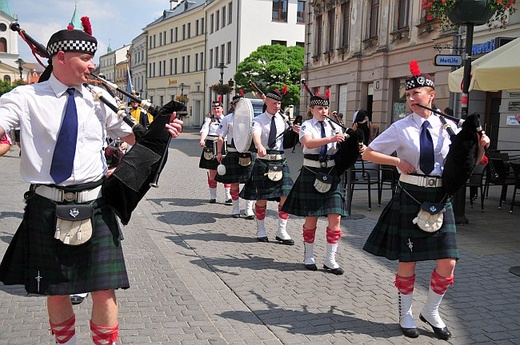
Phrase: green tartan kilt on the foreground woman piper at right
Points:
(397, 238)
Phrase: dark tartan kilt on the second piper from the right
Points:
(304, 200)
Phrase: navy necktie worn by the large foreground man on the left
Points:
(65, 149)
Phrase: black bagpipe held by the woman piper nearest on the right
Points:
(463, 153)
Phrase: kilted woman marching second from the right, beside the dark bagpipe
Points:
(317, 191)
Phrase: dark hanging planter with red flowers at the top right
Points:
(477, 12)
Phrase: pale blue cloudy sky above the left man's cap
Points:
(114, 22)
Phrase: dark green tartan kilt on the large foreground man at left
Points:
(33, 252)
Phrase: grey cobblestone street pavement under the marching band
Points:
(199, 277)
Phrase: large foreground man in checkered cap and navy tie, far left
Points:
(63, 130)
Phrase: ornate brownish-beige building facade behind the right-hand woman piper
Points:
(360, 51)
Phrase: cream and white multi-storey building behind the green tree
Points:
(197, 44)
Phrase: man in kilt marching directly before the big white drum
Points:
(270, 178)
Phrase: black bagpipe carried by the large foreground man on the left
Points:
(140, 168)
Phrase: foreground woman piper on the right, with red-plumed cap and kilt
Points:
(418, 223)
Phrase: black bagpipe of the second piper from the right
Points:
(348, 150)
